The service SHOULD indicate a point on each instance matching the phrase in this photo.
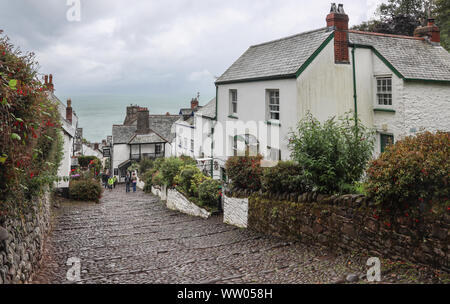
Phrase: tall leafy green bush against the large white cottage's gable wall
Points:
(333, 154)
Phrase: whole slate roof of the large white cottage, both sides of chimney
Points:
(413, 58)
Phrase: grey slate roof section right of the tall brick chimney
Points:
(413, 58)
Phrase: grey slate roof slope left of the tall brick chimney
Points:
(282, 57)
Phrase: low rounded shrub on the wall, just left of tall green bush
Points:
(286, 177)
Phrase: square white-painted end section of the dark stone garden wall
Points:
(235, 211)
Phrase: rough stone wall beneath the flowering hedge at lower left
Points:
(21, 252)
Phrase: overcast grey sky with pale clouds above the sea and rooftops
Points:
(155, 48)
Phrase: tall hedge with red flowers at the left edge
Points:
(30, 134)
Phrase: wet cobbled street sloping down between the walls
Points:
(134, 238)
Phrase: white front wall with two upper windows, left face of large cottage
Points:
(252, 113)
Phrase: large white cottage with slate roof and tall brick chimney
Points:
(398, 85)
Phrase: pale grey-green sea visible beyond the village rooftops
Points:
(98, 113)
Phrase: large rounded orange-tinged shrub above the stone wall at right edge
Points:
(412, 175)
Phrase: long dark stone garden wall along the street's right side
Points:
(348, 223)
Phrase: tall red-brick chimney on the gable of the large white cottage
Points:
(337, 21)
